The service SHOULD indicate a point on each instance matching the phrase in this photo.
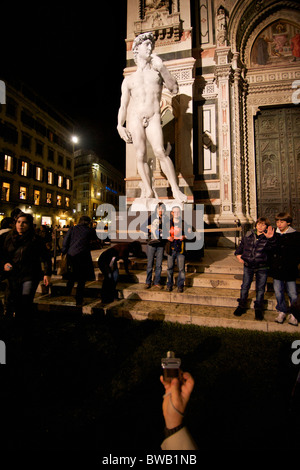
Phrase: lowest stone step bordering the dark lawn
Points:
(201, 315)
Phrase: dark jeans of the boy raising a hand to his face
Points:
(261, 276)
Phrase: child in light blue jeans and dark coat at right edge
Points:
(284, 267)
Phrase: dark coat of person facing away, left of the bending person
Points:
(77, 245)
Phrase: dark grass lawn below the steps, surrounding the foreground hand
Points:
(93, 383)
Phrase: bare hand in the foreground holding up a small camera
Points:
(177, 395)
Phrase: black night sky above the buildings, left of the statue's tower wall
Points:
(73, 56)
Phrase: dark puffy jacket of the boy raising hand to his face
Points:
(255, 250)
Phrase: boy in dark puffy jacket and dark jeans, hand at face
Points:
(253, 252)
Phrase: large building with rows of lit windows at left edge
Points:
(36, 158)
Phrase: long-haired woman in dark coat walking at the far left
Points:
(22, 252)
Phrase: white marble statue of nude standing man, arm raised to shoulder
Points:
(140, 109)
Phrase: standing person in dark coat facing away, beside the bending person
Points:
(77, 245)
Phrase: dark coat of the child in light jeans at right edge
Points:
(286, 256)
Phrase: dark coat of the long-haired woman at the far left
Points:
(25, 254)
